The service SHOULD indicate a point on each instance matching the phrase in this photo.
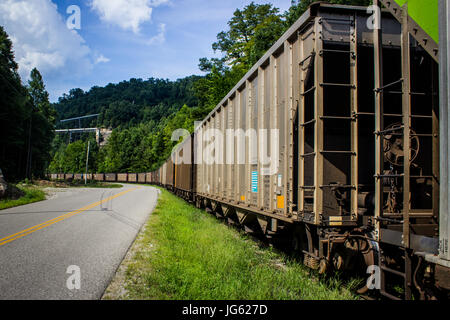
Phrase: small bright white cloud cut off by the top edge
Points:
(127, 14)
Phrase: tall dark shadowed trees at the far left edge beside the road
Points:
(26, 118)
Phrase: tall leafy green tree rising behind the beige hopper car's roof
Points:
(252, 31)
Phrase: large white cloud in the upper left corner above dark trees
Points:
(42, 40)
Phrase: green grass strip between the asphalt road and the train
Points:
(185, 253)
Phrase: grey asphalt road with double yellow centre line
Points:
(44, 245)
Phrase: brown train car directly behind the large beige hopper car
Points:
(183, 159)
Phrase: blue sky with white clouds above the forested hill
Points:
(118, 39)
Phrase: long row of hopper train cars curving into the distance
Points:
(356, 182)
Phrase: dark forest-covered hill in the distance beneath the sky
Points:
(127, 103)
